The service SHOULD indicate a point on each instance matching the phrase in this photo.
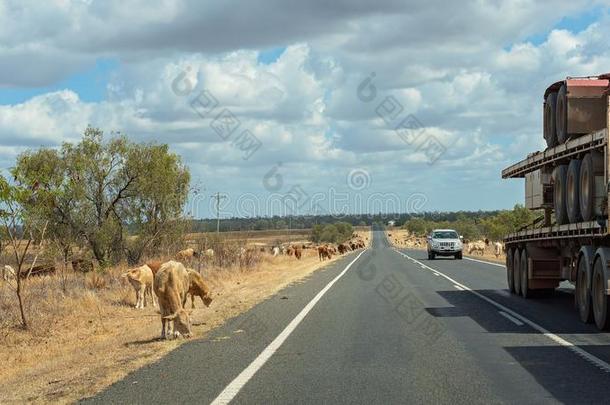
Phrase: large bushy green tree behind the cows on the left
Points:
(99, 190)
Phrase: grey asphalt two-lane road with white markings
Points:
(392, 328)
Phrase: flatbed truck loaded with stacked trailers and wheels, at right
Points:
(567, 183)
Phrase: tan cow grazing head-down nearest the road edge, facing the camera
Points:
(172, 285)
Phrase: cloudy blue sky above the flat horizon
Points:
(292, 107)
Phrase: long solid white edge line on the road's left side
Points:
(238, 383)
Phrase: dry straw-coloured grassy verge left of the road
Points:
(85, 333)
